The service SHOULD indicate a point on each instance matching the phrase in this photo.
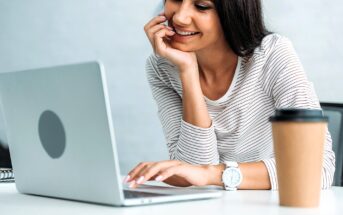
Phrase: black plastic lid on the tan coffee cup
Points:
(299, 115)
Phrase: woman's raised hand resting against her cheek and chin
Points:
(160, 35)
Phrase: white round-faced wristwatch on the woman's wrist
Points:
(232, 176)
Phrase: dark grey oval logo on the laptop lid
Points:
(52, 134)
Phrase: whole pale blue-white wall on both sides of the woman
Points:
(40, 33)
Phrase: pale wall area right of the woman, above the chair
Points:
(315, 27)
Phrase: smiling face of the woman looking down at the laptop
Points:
(195, 22)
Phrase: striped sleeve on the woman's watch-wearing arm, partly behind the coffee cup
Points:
(291, 89)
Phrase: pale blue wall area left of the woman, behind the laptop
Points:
(39, 33)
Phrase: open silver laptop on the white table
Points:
(60, 133)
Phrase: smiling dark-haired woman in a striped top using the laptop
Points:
(217, 75)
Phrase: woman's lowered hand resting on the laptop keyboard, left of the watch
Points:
(173, 172)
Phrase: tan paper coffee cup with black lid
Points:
(299, 136)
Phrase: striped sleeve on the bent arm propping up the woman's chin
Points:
(185, 141)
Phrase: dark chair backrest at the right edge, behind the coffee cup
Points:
(335, 113)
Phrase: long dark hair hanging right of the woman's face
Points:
(242, 23)
